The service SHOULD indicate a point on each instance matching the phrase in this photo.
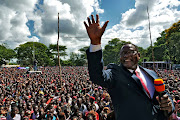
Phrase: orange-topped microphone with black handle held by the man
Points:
(160, 88)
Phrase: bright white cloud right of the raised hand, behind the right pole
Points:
(162, 15)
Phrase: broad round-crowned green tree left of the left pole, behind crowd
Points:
(41, 54)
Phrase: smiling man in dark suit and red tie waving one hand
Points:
(130, 86)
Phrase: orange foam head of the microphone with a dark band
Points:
(159, 85)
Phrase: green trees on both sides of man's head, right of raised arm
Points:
(166, 48)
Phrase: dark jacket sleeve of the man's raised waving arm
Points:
(96, 70)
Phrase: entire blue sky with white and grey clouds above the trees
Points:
(36, 20)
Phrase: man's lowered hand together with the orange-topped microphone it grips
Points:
(163, 99)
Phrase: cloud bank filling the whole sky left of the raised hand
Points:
(15, 15)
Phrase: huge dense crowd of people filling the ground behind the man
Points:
(25, 96)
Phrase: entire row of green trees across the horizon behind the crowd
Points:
(166, 48)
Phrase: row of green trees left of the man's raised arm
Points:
(29, 52)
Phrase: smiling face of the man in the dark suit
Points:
(129, 56)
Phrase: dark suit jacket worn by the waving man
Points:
(130, 100)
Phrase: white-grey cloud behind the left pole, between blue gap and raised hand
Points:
(72, 13)
